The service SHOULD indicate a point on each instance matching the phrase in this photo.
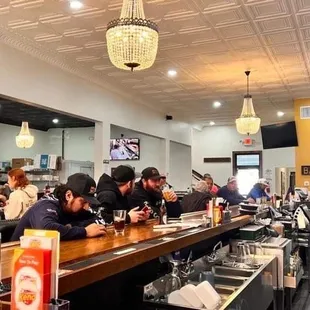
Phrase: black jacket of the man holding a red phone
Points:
(111, 198)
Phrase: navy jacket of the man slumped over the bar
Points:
(48, 214)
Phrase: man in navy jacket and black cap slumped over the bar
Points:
(61, 210)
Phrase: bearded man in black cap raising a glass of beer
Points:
(147, 192)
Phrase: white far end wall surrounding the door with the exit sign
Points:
(221, 141)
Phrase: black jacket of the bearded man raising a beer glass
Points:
(154, 199)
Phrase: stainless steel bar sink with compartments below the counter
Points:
(233, 284)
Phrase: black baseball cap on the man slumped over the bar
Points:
(84, 185)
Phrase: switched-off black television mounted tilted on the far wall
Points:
(279, 135)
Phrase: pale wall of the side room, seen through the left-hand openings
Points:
(79, 145)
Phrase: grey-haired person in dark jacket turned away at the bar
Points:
(197, 201)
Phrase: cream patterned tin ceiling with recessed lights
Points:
(209, 42)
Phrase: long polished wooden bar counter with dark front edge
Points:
(91, 260)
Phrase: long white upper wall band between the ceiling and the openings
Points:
(30, 79)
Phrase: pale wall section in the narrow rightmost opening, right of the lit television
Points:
(180, 175)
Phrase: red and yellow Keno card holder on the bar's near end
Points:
(35, 273)
